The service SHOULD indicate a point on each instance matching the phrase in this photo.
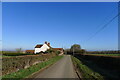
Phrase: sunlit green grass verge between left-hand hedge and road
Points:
(26, 72)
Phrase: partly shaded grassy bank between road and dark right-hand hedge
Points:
(86, 72)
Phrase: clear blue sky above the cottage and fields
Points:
(63, 24)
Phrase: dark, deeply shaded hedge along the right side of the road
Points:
(107, 63)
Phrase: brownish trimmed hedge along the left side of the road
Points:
(13, 64)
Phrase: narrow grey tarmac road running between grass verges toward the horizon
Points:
(61, 69)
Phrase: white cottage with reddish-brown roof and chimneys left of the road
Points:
(42, 47)
